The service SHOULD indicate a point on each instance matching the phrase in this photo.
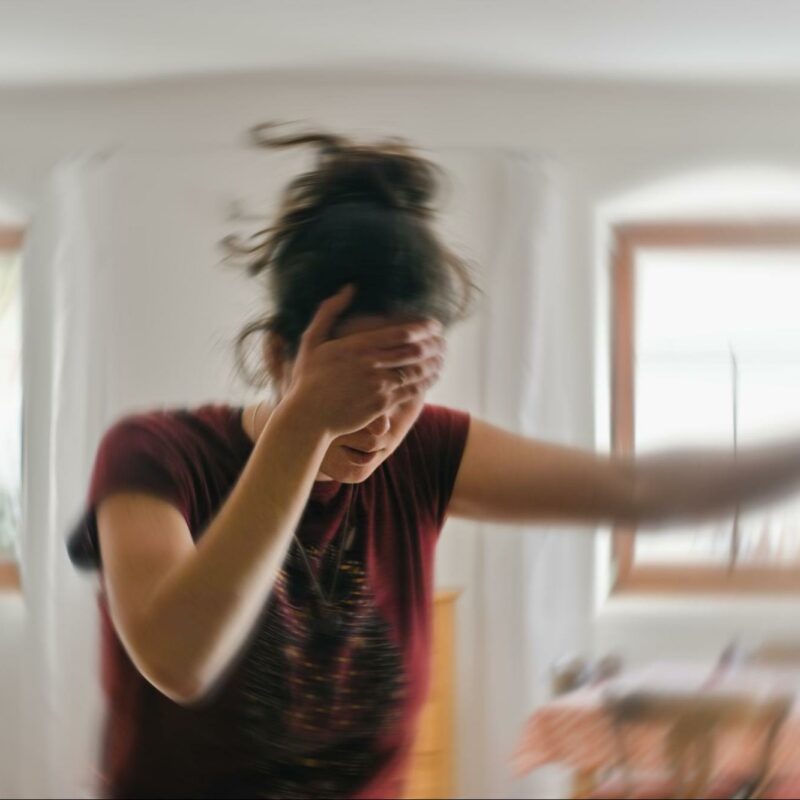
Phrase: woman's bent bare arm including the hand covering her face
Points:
(183, 610)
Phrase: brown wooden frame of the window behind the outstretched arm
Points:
(628, 239)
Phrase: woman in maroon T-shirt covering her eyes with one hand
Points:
(268, 571)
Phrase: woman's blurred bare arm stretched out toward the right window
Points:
(509, 478)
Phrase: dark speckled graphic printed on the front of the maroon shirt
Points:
(317, 699)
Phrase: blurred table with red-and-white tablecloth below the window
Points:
(741, 725)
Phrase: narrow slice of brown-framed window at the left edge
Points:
(10, 402)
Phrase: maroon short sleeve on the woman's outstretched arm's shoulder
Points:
(440, 438)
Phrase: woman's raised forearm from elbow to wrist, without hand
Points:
(202, 613)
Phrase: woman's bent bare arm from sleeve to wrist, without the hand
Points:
(181, 610)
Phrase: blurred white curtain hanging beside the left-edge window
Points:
(60, 692)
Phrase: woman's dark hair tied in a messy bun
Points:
(362, 215)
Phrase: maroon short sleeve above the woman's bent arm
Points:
(136, 454)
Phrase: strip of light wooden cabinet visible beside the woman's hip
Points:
(431, 771)
